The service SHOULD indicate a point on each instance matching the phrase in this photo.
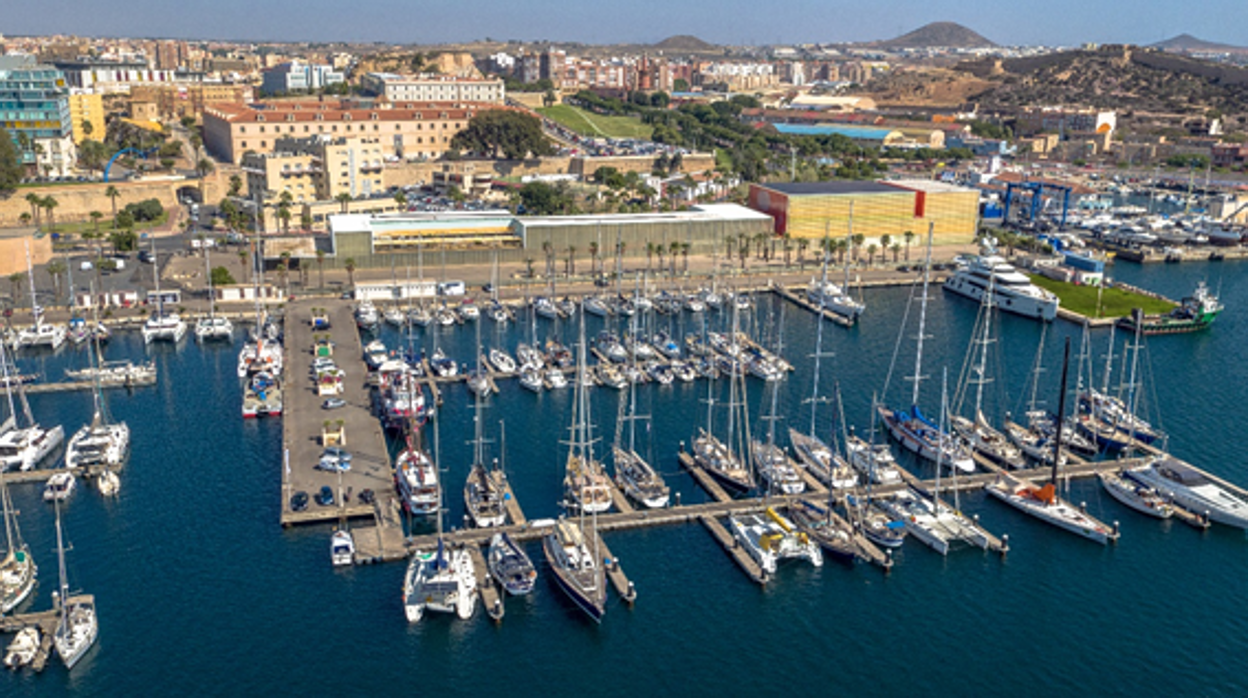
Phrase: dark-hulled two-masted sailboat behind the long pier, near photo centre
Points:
(727, 461)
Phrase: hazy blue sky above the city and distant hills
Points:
(723, 22)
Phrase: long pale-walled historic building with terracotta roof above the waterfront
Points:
(405, 130)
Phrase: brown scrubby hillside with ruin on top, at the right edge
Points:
(1113, 78)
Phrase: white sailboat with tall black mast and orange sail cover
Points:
(1044, 503)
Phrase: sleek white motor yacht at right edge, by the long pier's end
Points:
(1192, 490)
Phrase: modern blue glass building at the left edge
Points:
(34, 104)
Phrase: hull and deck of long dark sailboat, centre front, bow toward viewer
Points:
(576, 568)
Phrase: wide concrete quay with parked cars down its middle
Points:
(305, 423)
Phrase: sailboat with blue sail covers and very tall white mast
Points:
(909, 426)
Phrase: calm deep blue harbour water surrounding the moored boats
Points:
(200, 589)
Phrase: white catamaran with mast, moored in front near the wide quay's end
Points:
(440, 580)
